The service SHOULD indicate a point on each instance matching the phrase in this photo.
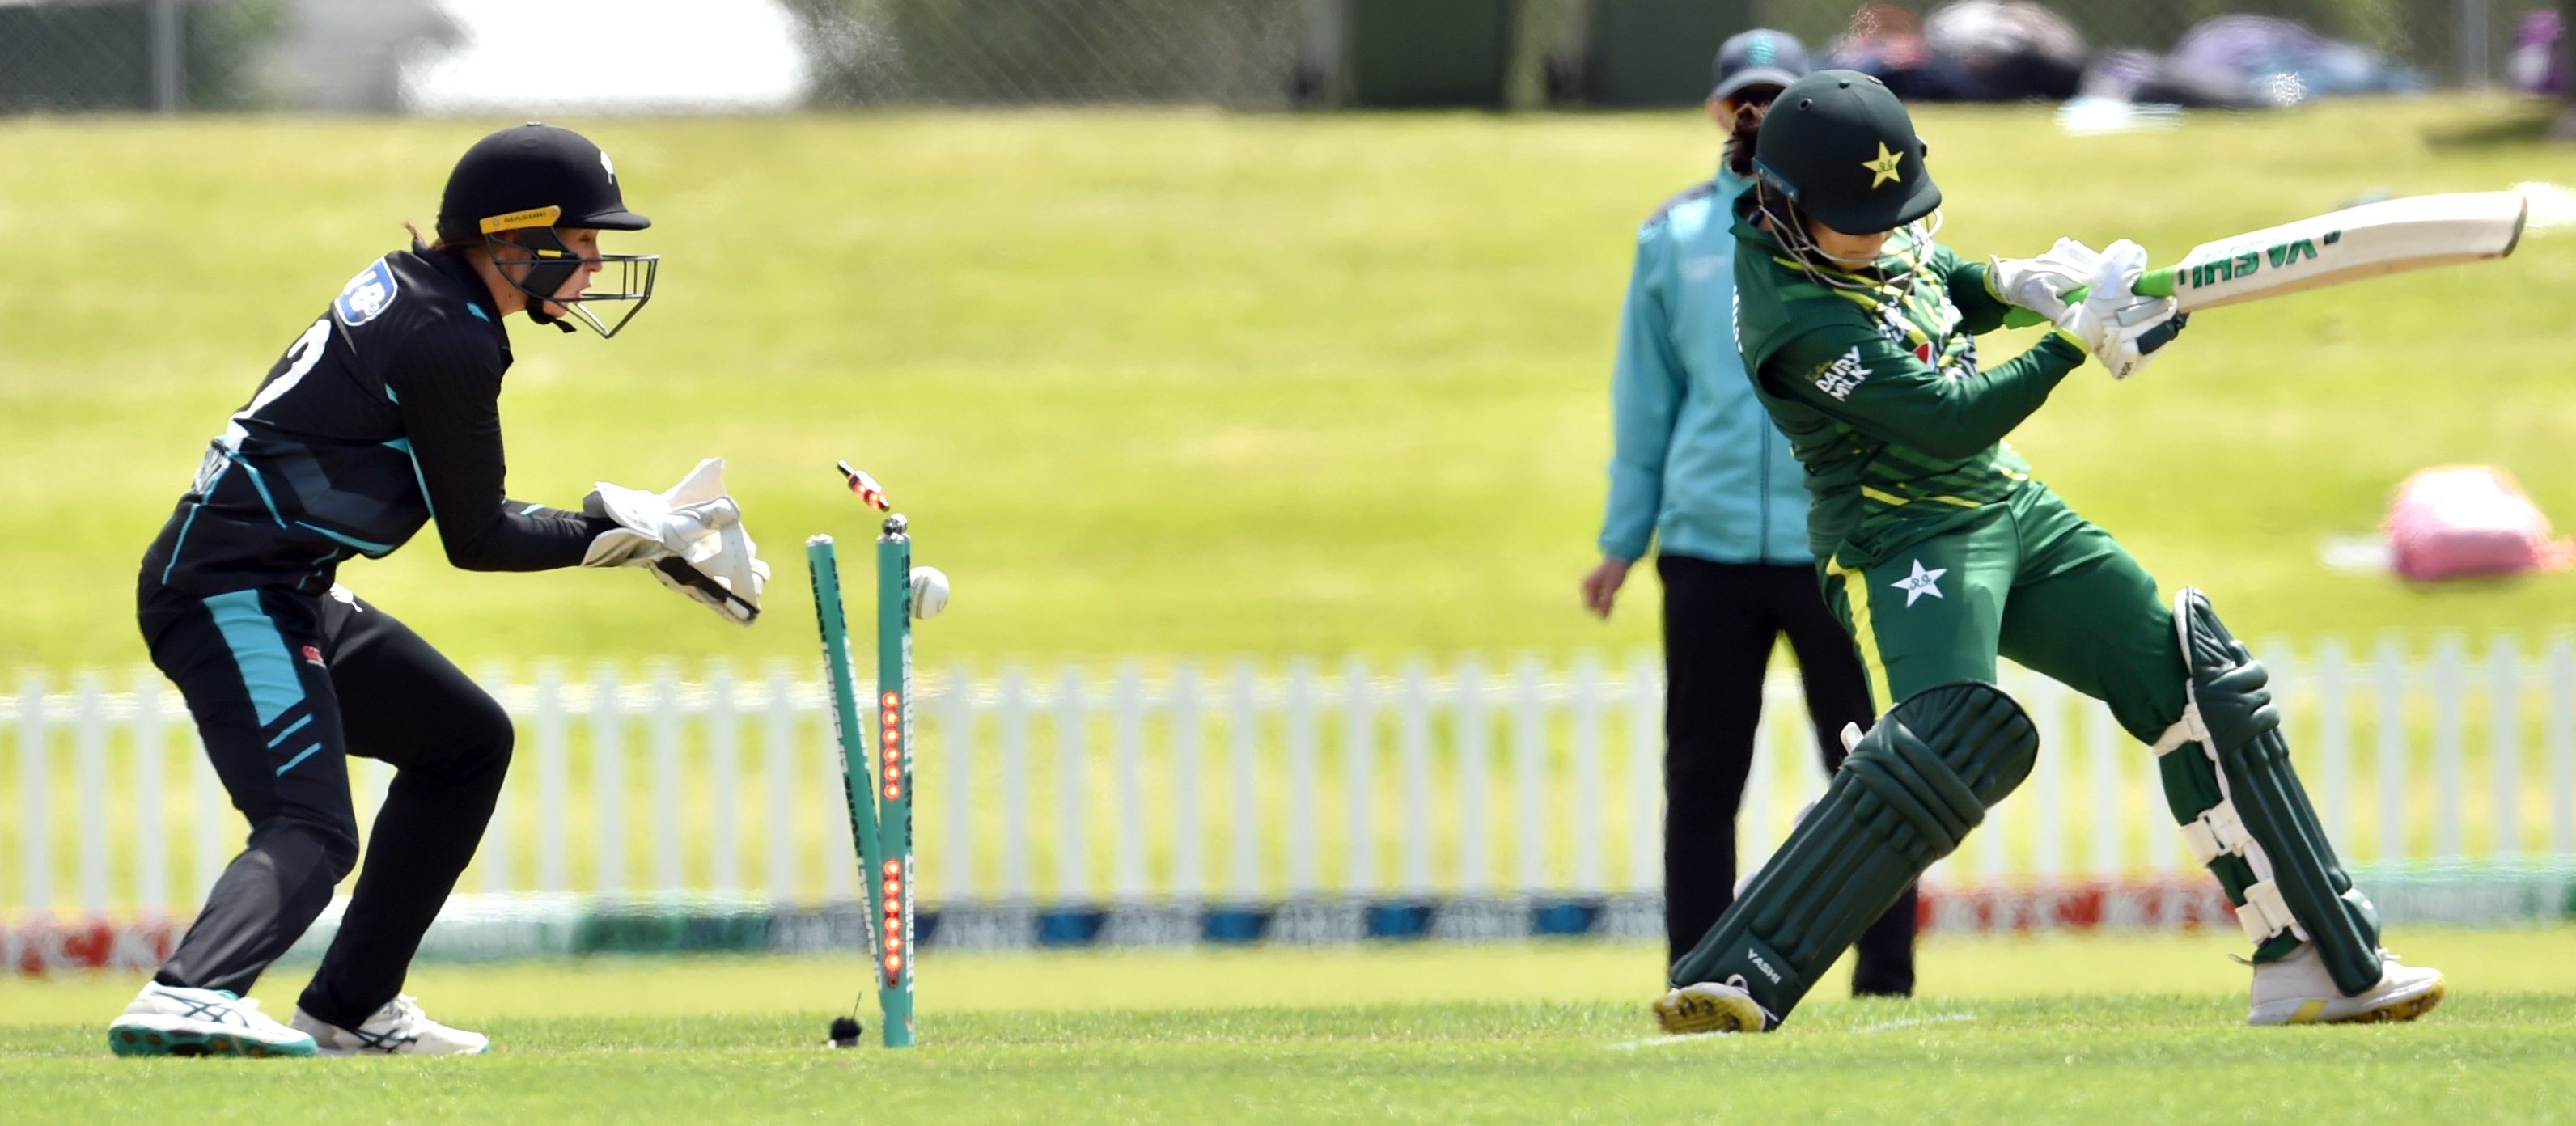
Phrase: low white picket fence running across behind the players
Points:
(1258, 785)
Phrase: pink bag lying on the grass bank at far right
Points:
(2469, 522)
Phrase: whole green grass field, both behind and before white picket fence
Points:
(1274, 385)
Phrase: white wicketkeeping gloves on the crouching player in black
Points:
(689, 537)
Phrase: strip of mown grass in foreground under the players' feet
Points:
(2036, 1029)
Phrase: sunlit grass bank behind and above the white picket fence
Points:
(1207, 385)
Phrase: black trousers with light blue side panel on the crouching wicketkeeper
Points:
(285, 687)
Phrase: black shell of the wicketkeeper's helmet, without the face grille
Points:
(509, 182)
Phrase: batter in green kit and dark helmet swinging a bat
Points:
(1941, 550)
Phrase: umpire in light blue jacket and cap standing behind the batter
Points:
(1704, 475)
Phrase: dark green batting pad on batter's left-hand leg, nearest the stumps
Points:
(1908, 797)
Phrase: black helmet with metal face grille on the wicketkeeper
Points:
(529, 182)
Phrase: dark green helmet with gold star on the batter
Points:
(1843, 148)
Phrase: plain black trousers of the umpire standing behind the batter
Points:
(1719, 633)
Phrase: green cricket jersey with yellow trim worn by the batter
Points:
(1879, 390)
